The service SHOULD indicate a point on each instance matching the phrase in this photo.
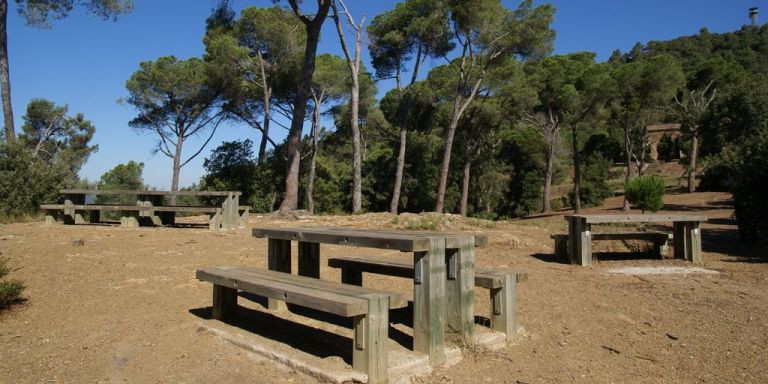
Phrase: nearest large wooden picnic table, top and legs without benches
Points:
(443, 282)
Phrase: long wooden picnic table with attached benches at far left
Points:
(149, 208)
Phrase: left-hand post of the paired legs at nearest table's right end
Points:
(429, 302)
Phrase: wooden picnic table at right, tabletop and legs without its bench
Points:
(686, 234)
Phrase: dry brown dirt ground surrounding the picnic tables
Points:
(108, 304)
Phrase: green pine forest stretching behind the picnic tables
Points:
(488, 134)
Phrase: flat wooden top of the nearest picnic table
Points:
(408, 241)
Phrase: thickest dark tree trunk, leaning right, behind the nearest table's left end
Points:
(291, 198)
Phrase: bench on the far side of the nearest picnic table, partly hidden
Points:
(502, 285)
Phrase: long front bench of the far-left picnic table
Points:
(134, 215)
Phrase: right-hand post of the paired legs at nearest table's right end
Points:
(460, 289)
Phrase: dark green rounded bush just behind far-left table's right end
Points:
(231, 167)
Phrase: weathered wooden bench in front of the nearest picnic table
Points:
(369, 308)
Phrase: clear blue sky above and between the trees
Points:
(84, 62)
